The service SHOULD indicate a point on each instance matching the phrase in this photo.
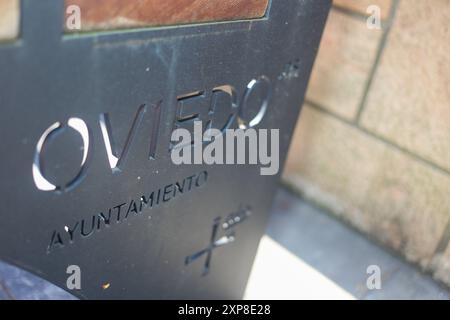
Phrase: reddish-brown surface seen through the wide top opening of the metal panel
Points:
(114, 14)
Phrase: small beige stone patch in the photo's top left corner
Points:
(9, 19)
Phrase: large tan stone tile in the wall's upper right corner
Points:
(409, 101)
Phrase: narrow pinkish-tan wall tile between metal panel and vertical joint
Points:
(343, 64)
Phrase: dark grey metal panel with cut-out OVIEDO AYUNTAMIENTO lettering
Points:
(48, 77)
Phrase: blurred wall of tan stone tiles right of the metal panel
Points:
(372, 144)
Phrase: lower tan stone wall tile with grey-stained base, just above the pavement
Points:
(399, 201)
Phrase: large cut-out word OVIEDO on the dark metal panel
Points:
(217, 109)
